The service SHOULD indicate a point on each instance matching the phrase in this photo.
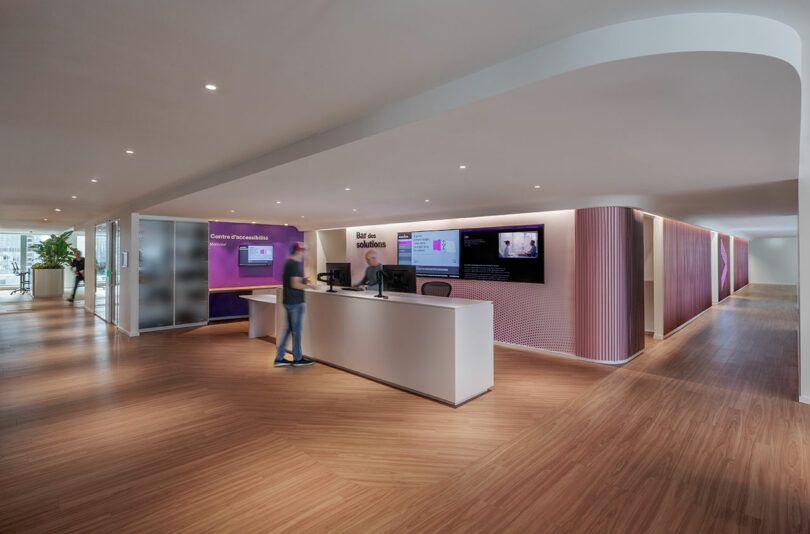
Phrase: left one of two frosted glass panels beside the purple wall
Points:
(156, 274)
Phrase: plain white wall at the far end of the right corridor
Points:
(773, 260)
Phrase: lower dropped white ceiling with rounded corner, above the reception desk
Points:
(684, 135)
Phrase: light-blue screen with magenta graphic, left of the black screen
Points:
(434, 254)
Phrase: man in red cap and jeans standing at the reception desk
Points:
(293, 295)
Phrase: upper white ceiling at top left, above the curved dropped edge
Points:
(83, 81)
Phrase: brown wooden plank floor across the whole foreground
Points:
(195, 431)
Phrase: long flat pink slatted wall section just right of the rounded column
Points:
(687, 273)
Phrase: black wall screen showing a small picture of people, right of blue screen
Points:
(511, 254)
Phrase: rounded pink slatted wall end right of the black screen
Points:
(609, 267)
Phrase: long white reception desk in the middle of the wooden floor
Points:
(434, 346)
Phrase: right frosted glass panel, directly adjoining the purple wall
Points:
(191, 272)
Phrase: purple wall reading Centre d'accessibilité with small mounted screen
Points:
(223, 253)
